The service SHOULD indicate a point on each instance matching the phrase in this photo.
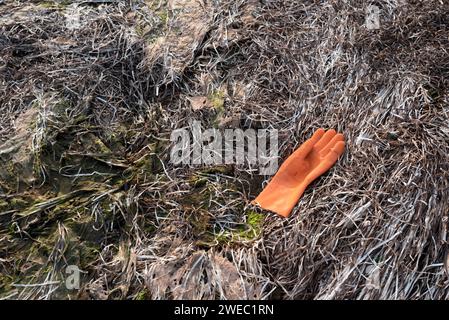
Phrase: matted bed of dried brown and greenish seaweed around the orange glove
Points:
(90, 93)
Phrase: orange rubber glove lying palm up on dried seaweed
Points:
(315, 156)
